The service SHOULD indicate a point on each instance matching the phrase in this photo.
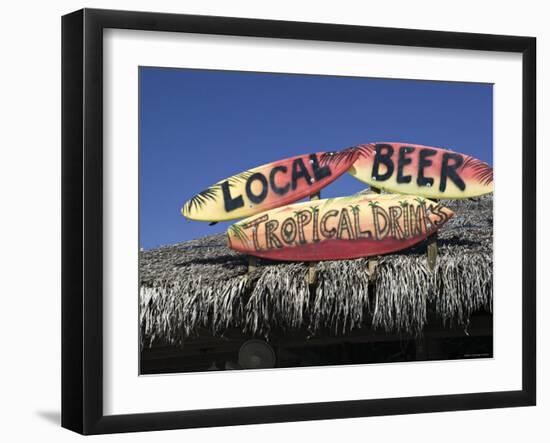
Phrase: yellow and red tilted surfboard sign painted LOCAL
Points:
(269, 186)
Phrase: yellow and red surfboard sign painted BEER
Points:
(422, 170)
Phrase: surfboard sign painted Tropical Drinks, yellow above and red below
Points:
(339, 228)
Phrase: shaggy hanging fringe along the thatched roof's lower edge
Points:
(279, 297)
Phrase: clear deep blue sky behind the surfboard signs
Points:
(198, 127)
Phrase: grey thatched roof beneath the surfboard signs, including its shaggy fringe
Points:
(204, 284)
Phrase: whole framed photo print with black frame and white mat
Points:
(269, 221)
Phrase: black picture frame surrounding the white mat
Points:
(82, 218)
